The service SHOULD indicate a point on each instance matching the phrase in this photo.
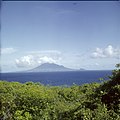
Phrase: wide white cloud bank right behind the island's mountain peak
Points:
(38, 58)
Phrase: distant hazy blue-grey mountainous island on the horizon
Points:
(51, 67)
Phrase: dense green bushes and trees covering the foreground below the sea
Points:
(33, 101)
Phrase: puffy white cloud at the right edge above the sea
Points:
(108, 52)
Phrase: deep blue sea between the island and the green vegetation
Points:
(58, 78)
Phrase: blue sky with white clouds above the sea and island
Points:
(76, 34)
